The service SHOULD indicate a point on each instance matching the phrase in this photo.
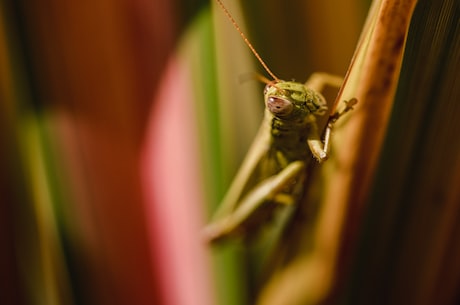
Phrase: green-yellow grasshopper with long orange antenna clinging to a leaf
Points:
(273, 172)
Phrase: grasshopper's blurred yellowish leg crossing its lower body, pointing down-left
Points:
(268, 190)
